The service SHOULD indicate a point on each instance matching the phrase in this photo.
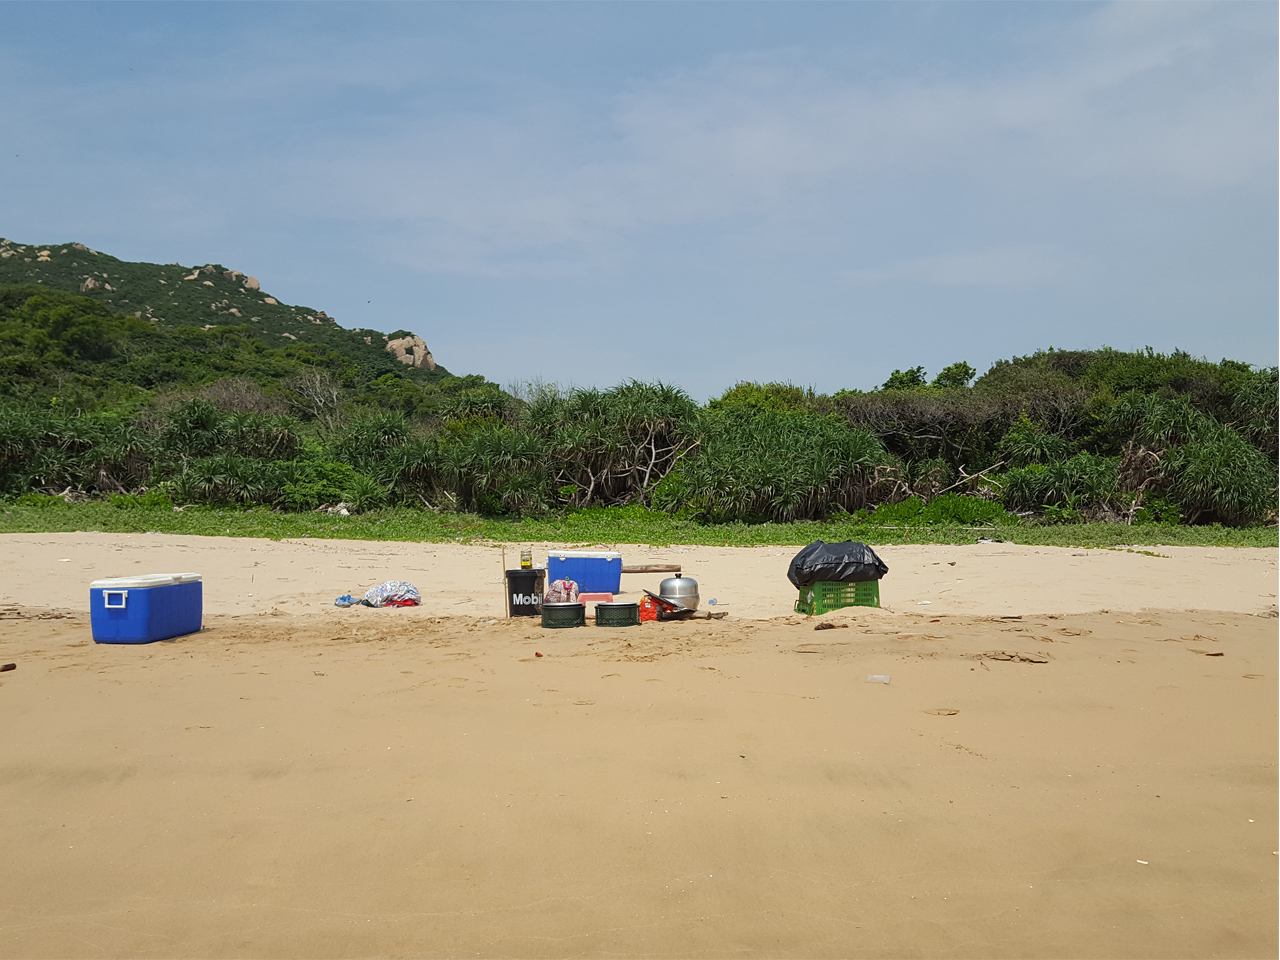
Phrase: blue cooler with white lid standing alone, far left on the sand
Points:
(147, 609)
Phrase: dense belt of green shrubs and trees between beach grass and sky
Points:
(112, 406)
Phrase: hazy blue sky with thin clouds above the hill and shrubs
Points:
(694, 193)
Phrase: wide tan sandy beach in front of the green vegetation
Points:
(1076, 756)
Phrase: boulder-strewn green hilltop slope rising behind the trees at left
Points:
(171, 295)
